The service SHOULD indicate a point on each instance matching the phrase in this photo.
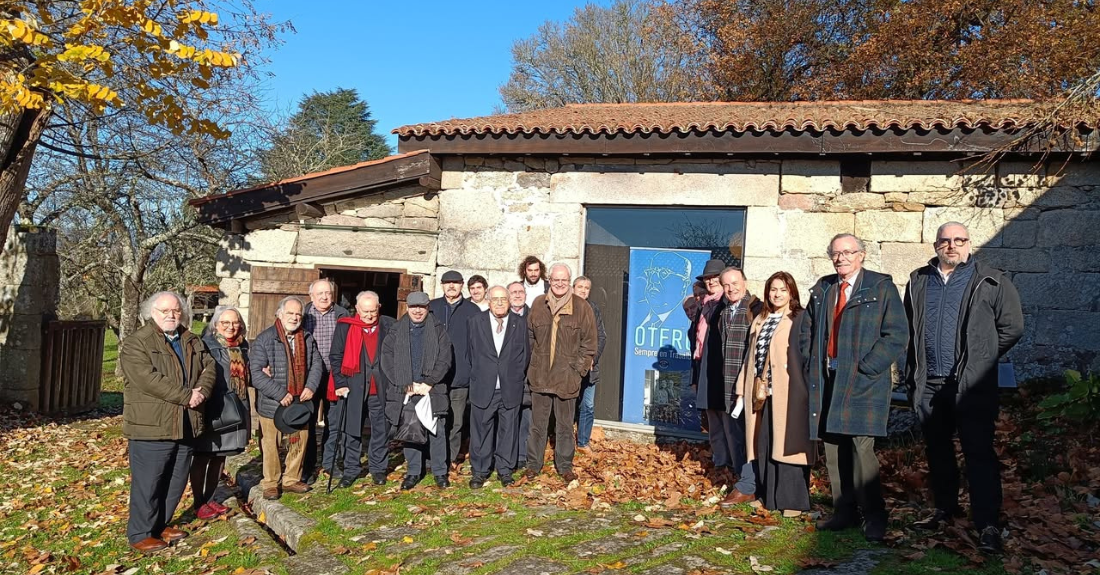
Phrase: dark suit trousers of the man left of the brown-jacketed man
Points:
(500, 426)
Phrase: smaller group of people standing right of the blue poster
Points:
(777, 377)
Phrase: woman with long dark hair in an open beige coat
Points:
(774, 388)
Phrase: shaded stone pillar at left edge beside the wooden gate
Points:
(30, 275)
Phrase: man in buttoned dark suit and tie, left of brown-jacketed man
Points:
(498, 355)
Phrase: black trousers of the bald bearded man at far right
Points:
(976, 426)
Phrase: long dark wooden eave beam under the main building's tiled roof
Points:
(890, 141)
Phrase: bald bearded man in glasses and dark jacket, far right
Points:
(963, 317)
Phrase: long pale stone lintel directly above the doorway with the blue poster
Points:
(749, 186)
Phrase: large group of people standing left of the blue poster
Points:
(494, 368)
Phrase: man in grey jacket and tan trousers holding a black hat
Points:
(287, 368)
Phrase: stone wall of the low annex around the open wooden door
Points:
(395, 230)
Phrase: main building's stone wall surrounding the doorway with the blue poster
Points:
(1037, 223)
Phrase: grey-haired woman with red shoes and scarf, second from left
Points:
(225, 338)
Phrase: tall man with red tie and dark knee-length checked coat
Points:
(856, 329)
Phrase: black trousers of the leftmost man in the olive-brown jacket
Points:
(159, 473)
